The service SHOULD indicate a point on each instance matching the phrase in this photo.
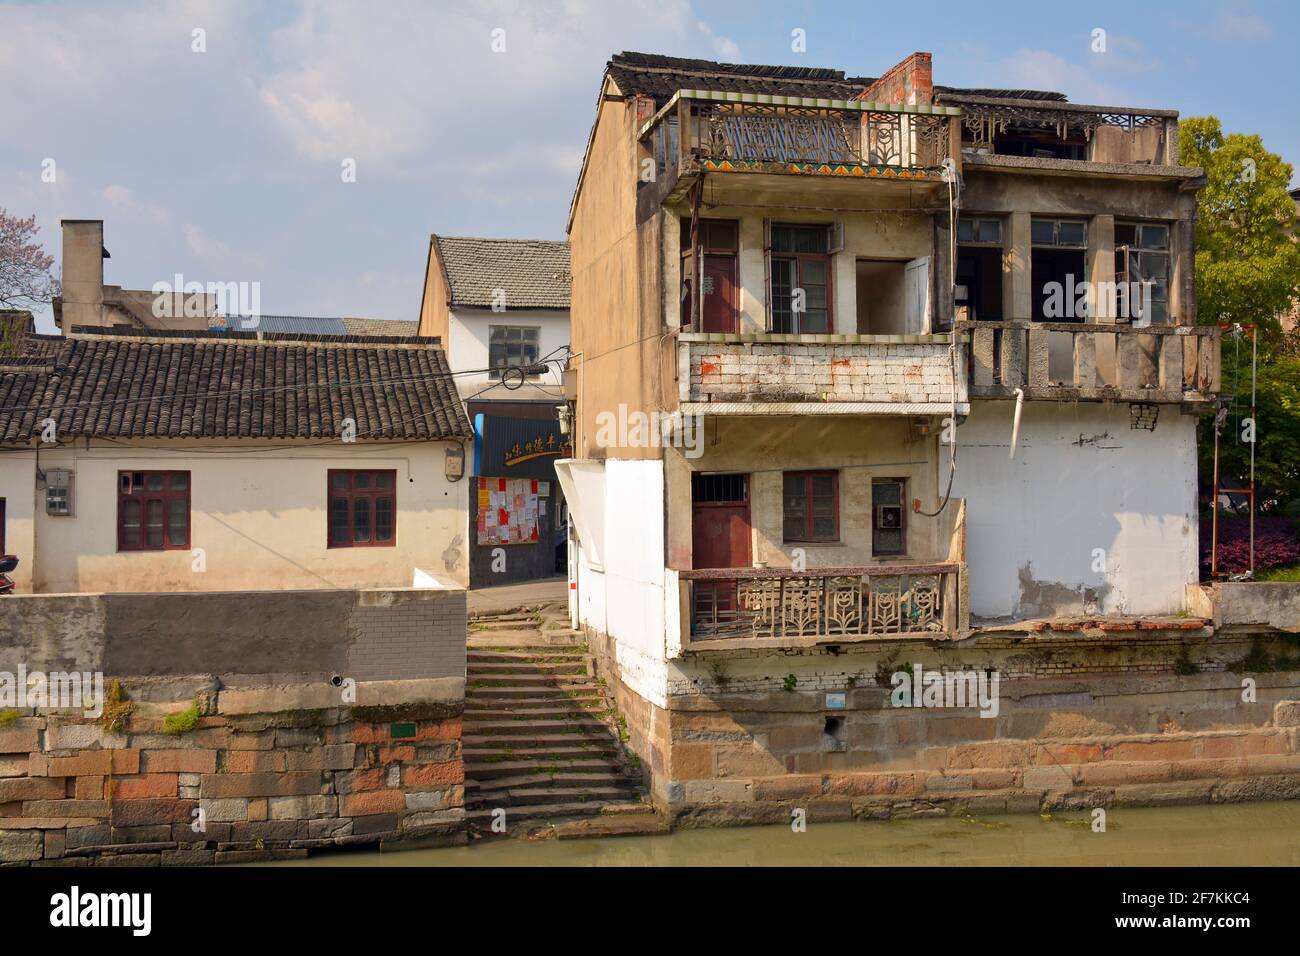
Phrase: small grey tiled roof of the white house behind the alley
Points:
(532, 274)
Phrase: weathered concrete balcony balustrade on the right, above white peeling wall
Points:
(1093, 362)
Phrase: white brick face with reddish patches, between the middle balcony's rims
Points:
(834, 373)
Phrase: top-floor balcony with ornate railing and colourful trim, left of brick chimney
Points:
(700, 133)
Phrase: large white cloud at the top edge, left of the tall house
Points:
(385, 81)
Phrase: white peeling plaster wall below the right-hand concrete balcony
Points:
(1082, 479)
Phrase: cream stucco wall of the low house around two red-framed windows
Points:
(259, 513)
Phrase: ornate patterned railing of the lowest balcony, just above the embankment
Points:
(846, 603)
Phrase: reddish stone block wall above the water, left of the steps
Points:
(266, 773)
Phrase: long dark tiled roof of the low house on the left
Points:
(125, 384)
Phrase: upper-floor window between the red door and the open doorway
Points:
(800, 265)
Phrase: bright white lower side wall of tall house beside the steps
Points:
(626, 598)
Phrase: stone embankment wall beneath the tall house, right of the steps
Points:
(1084, 721)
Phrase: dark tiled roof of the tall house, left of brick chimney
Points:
(661, 77)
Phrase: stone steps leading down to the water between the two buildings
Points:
(541, 736)
